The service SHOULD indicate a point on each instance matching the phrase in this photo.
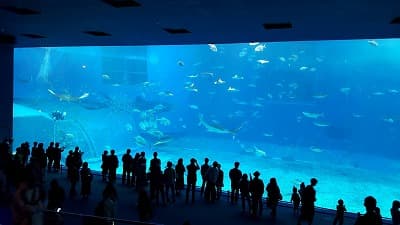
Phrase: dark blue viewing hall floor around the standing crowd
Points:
(198, 213)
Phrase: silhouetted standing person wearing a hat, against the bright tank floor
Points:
(256, 188)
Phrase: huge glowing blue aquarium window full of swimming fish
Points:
(291, 110)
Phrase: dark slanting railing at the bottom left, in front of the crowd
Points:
(58, 217)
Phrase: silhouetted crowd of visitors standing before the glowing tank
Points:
(23, 177)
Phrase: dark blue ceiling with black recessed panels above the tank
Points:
(150, 22)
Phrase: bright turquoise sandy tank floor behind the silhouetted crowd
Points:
(340, 174)
